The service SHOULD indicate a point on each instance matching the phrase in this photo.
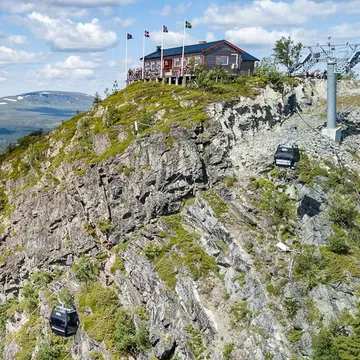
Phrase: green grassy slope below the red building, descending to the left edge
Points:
(137, 102)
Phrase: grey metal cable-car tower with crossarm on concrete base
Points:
(340, 59)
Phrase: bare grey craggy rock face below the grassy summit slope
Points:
(212, 283)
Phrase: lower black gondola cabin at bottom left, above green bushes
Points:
(64, 321)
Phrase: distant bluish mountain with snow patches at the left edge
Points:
(21, 114)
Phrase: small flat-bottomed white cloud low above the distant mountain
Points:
(50, 72)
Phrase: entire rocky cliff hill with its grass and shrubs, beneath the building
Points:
(184, 241)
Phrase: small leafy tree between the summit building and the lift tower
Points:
(287, 53)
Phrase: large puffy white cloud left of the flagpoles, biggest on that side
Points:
(66, 35)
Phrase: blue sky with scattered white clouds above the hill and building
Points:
(79, 45)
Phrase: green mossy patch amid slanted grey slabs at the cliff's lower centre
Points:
(183, 249)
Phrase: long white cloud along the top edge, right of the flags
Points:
(266, 12)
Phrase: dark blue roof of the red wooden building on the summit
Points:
(196, 48)
